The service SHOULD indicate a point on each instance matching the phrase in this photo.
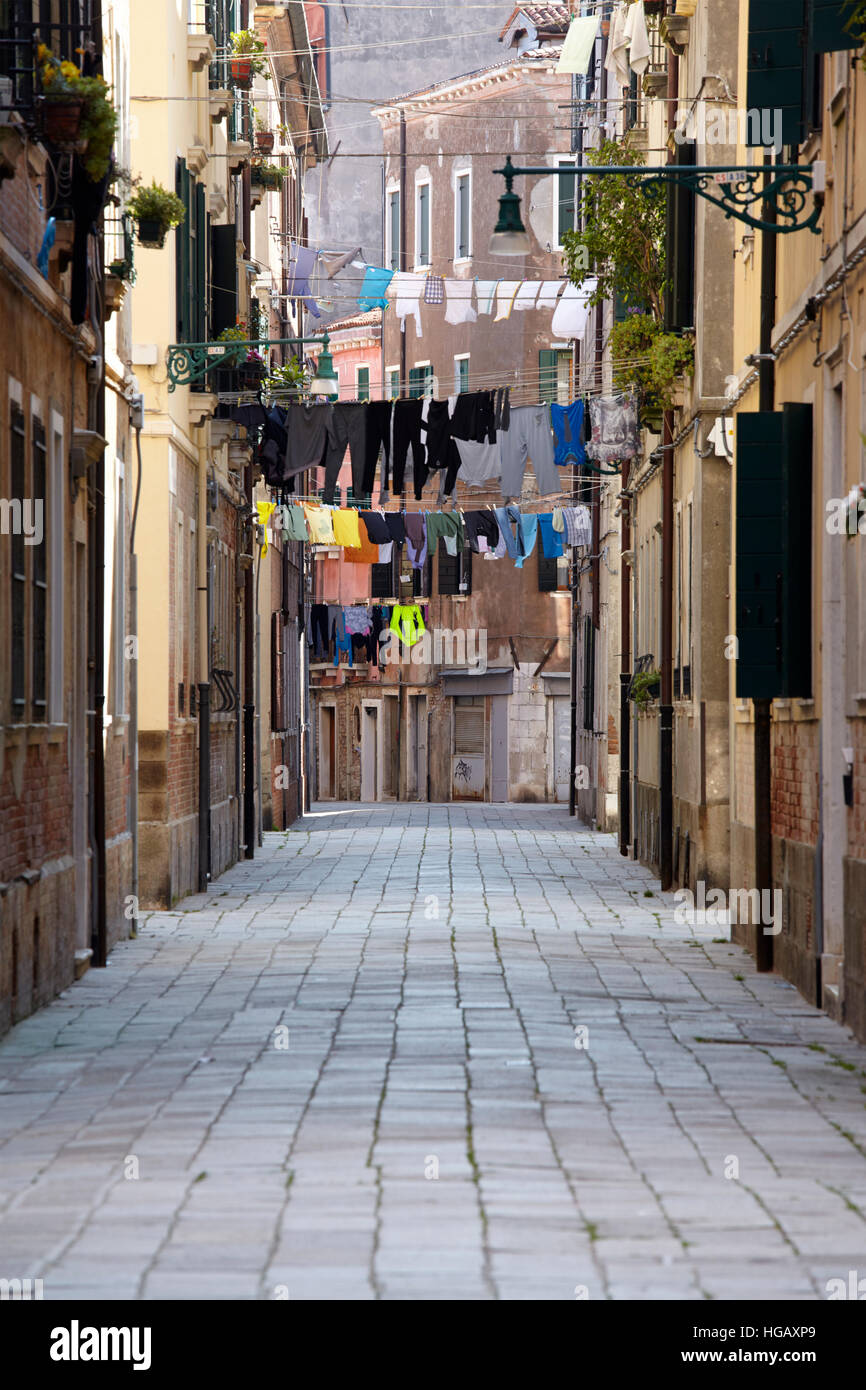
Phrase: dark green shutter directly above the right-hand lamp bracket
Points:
(776, 52)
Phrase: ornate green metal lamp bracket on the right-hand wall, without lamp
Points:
(730, 187)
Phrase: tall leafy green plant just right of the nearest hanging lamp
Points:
(623, 231)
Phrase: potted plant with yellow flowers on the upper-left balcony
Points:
(76, 111)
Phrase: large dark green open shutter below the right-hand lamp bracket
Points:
(775, 553)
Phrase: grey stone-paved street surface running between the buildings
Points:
(254, 1100)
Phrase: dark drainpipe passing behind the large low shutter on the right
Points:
(764, 768)
